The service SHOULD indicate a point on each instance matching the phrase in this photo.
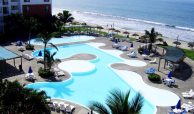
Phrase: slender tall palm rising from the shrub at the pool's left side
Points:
(45, 37)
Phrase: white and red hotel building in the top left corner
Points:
(26, 7)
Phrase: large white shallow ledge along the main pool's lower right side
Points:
(156, 96)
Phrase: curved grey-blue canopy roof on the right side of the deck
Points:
(173, 54)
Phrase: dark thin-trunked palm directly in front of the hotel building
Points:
(30, 24)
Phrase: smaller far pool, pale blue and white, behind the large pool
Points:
(71, 39)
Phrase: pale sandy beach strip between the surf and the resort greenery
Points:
(169, 40)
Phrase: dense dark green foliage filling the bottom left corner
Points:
(15, 99)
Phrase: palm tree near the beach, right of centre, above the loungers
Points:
(152, 35)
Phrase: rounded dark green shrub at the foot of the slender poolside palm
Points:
(45, 73)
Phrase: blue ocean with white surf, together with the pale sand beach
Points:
(172, 18)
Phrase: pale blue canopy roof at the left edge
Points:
(6, 54)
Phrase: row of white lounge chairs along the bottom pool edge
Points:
(61, 106)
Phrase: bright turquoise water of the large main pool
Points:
(94, 86)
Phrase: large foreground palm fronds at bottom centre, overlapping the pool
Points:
(118, 103)
